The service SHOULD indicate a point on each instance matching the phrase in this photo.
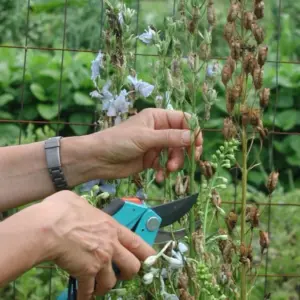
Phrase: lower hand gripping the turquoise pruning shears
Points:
(86, 241)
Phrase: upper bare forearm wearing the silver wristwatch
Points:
(24, 176)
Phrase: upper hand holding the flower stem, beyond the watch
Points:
(135, 144)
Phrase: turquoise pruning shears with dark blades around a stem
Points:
(145, 221)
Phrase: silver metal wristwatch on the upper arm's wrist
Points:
(52, 151)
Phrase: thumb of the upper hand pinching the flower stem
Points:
(168, 138)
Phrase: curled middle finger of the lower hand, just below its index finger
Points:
(127, 263)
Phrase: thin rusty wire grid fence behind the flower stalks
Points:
(138, 5)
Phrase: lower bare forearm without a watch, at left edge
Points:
(25, 242)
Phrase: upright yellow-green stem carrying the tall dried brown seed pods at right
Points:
(243, 212)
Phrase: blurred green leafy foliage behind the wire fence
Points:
(42, 94)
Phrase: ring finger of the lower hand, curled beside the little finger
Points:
(105, 280)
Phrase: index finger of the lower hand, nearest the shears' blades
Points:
(134, 243)
